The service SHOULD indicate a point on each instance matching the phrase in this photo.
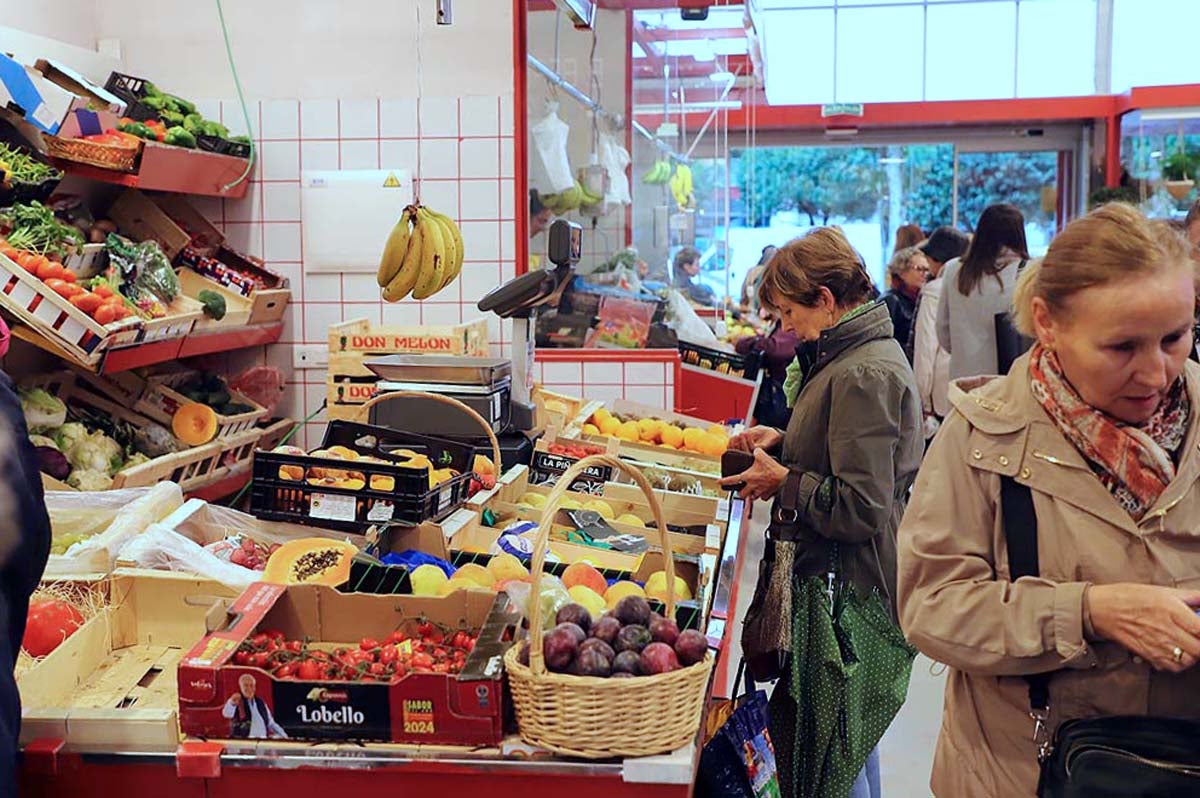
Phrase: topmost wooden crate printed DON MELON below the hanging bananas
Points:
(359, 335)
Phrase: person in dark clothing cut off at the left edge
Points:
(25, 549)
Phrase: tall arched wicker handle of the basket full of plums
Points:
(537, 663)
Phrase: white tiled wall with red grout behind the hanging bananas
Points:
(458, 147)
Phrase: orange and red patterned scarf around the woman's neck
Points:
(1135, 463)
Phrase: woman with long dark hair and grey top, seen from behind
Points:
(979, 287)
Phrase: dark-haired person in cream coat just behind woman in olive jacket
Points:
(931, 362)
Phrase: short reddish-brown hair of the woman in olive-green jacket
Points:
(823, 257)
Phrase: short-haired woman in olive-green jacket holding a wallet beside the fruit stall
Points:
(841, 472)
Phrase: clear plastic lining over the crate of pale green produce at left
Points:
(101, 524)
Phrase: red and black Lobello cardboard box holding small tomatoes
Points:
(437, 709)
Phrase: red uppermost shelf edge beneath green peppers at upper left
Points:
(176, 170)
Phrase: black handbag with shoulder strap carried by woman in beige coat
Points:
(1111, 757)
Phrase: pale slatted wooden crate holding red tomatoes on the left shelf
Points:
(83, 339)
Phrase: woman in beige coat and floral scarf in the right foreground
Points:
(1100, 422)
